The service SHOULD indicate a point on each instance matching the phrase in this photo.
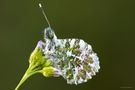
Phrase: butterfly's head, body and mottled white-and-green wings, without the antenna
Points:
(74, 58)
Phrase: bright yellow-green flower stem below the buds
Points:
(27, 74)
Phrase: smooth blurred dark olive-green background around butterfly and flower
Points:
(108, 25)
